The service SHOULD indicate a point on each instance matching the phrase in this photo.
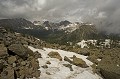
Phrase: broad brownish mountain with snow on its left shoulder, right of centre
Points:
(73, 33)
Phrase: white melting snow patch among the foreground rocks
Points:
(58, 71)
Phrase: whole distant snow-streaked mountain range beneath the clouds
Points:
(61, 32)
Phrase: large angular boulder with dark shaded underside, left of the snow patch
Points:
(20, 50)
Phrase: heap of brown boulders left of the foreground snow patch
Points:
(16, 59)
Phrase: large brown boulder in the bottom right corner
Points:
(109, 69)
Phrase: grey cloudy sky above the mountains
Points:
(104, 13)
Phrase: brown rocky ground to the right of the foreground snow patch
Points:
(107, 62)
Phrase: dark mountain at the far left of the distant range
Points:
(16, 23)
